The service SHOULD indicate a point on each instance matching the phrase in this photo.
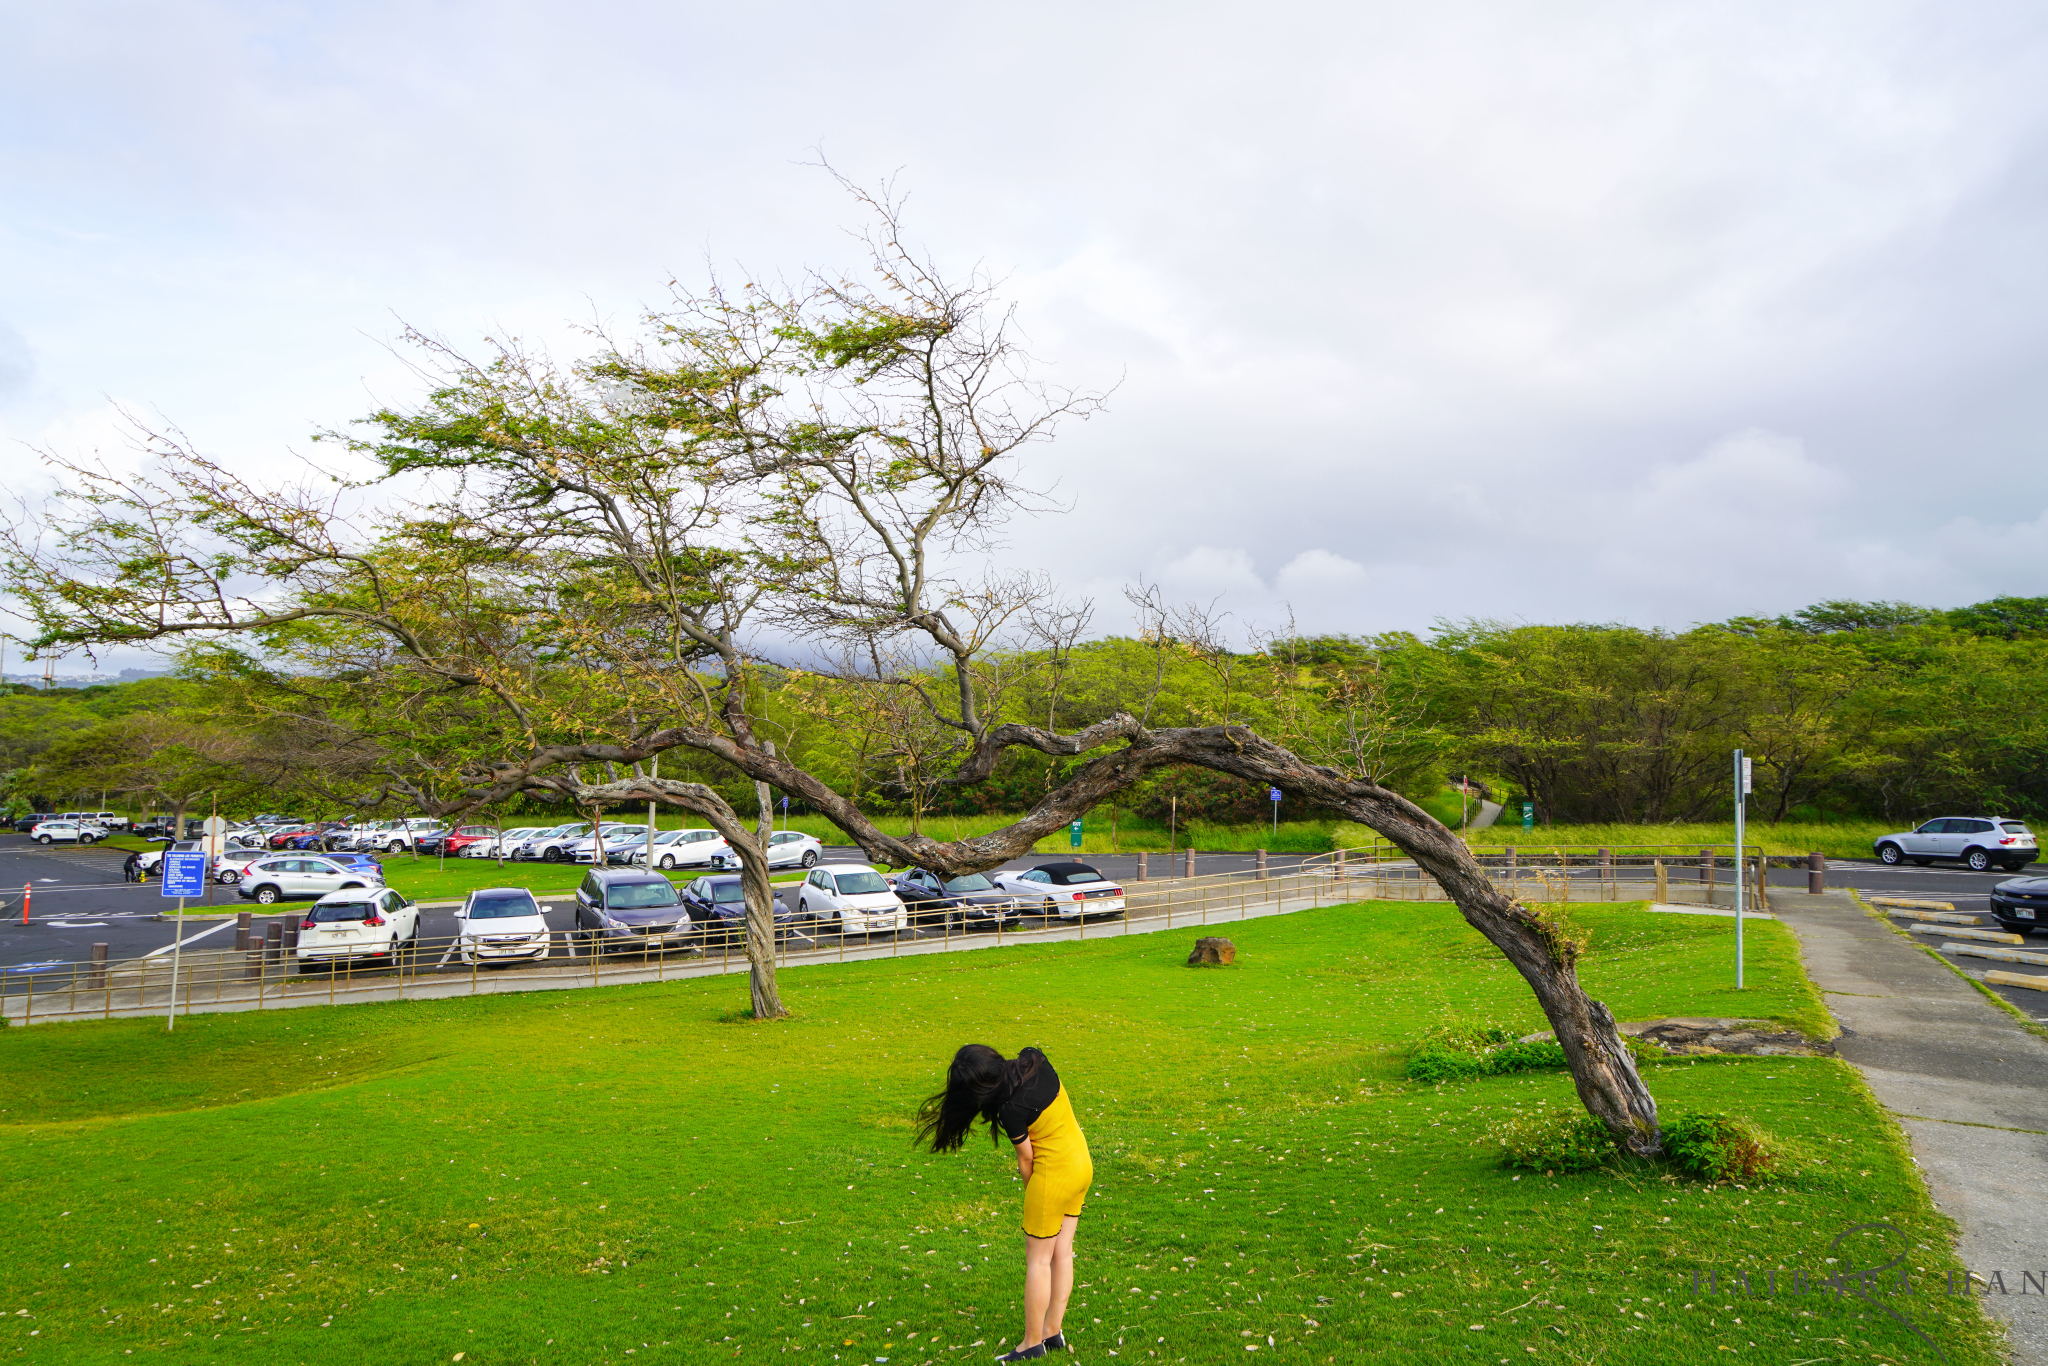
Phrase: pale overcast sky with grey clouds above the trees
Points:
(1570, 312)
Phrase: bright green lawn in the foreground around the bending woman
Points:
(570, 1177)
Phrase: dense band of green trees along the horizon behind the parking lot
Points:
(1850, 710)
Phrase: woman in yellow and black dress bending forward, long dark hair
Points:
(1023, 1101)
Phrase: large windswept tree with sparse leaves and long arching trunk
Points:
(591, 554)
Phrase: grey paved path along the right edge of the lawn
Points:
(1963, 1078)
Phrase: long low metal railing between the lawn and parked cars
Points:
(267, 968)
